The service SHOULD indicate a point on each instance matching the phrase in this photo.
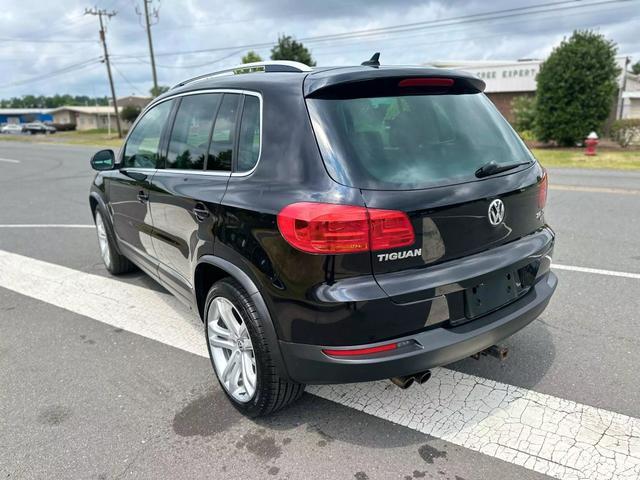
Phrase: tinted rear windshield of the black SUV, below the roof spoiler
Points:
(412, 142)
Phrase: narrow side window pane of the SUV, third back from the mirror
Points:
(224, 134)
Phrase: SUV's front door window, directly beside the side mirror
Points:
(142, 149)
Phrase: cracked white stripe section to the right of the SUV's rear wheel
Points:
(547, 434)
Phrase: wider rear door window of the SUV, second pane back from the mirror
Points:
(191, 129)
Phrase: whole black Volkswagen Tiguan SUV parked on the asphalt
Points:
(330, 224)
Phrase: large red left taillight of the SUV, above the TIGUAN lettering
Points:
(325, 228)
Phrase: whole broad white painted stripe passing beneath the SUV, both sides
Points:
(547, 434)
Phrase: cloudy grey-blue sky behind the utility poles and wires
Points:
(37, 40)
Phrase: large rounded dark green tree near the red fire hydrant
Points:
(576, 88)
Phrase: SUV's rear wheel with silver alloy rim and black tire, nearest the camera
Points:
(270, 392)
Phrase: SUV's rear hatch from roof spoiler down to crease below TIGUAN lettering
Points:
(417, 140)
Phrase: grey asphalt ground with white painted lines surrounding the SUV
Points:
(107, 378)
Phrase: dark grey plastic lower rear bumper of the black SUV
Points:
(431, 348)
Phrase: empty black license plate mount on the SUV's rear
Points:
(494, 292)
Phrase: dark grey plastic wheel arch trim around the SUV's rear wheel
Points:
(209, 270)
